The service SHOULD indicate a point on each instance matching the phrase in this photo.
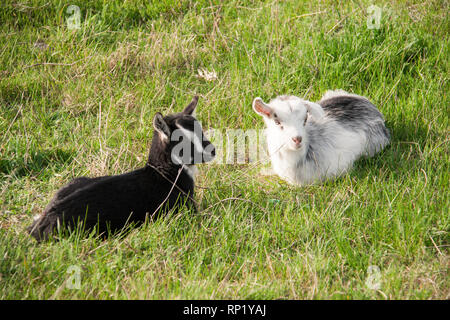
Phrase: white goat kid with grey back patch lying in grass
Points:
(309, 142)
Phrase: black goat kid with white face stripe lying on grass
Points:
(165, 183)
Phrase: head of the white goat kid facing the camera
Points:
(286, 118)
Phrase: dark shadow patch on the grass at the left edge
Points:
(26, 165)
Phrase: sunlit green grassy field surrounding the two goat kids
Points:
(80, 102)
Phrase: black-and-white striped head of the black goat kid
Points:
(182, 136)
